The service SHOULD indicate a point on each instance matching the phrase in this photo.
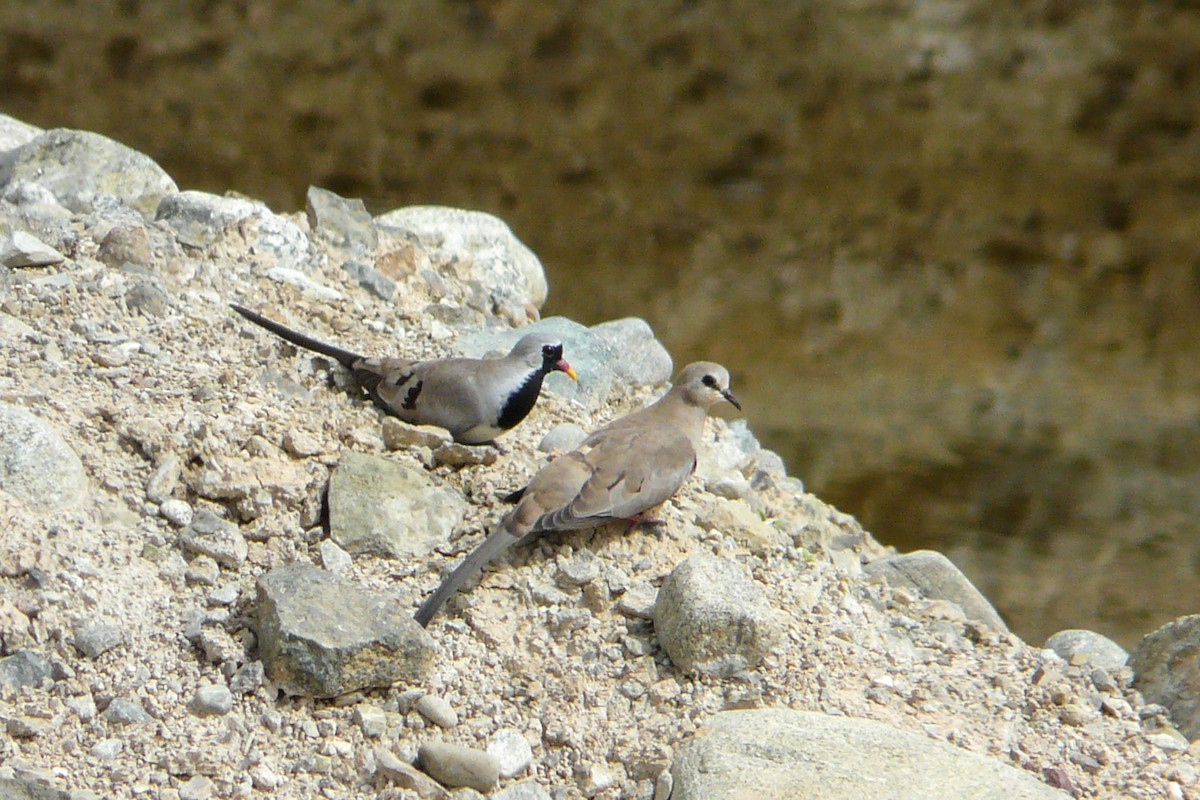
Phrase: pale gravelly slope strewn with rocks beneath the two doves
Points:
(189, 504)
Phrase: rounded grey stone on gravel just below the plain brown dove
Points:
(711, 617)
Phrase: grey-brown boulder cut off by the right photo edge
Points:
(1165, 671)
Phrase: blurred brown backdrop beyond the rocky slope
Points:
(949, 249)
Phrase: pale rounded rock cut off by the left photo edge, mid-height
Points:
(37, 465)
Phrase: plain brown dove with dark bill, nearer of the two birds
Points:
(619, 473)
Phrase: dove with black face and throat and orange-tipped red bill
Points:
(476, 400)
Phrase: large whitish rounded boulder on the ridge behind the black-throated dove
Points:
(483, 249)
